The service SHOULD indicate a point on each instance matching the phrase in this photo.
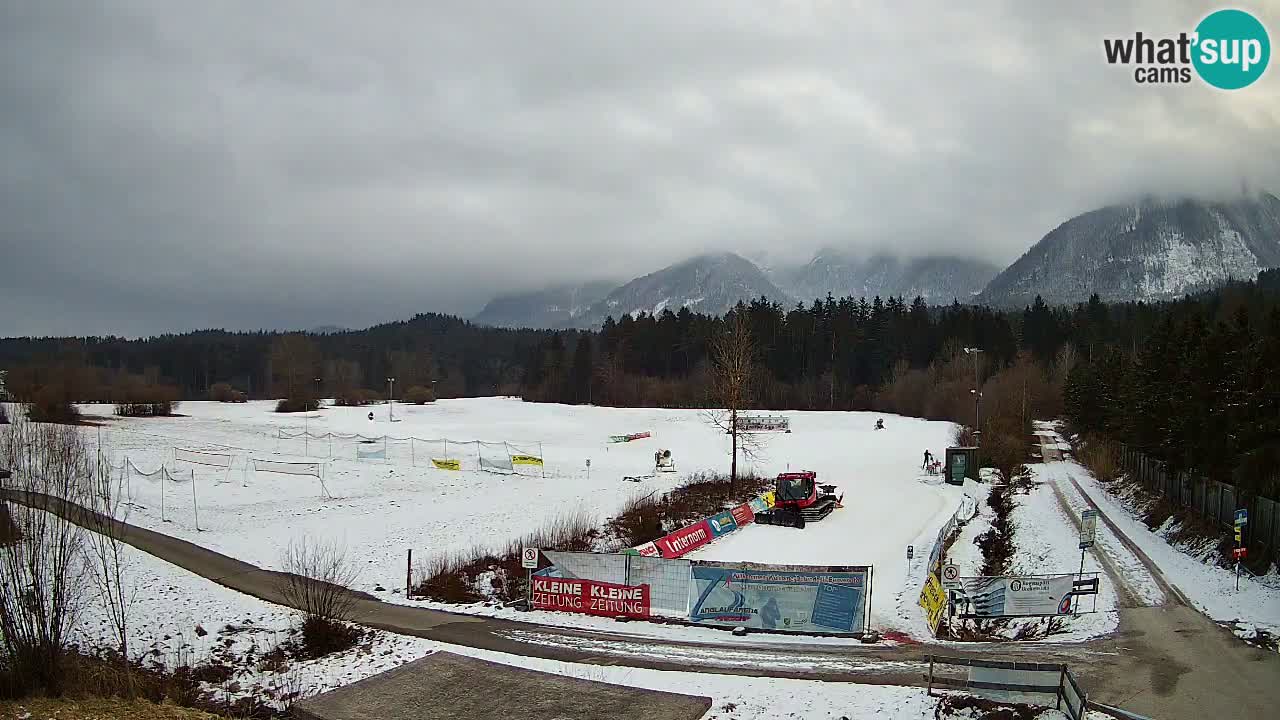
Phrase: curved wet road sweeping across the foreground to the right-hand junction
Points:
(1165, 663)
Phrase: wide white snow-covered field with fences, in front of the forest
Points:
(382, 509)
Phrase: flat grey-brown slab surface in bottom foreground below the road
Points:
(451, 687)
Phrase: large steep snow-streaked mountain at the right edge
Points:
(1150, 250)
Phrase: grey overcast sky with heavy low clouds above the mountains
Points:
(170, 166)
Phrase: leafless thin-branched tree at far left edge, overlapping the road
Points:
(43, 575)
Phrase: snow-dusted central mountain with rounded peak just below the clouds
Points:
(708, 284)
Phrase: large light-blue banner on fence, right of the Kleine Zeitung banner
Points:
(779, 599)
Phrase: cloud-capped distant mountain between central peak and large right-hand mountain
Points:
(938, 280)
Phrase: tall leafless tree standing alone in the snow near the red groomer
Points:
(733, 388)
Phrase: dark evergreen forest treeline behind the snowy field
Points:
(1191, 382)
